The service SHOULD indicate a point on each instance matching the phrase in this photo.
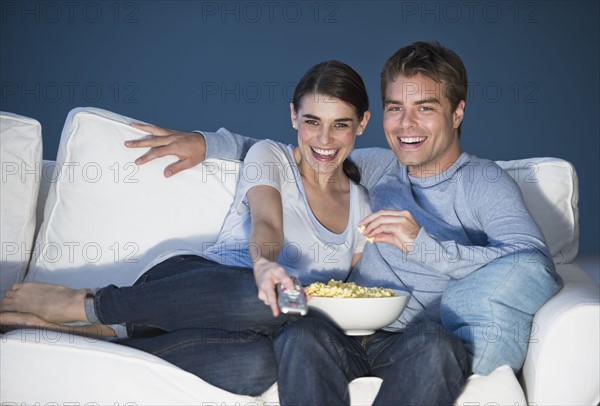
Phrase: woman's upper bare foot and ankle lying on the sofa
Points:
(53, 303)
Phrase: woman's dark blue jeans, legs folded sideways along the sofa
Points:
(204, 317)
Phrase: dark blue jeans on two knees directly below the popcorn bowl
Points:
(423, 365)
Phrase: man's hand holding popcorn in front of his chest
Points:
(394, 227)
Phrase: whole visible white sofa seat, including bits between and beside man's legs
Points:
(125, 375)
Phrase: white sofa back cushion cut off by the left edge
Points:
(20, 158)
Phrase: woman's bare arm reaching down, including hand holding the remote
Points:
(266, 242)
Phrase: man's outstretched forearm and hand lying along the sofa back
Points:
(191, 148)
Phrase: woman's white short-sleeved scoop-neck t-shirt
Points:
(310, 251)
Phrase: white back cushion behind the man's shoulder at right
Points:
(550, 190)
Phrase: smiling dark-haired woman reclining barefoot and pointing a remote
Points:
(295, 213)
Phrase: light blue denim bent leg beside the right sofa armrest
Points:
(492, 309)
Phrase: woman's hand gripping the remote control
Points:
(267, 275)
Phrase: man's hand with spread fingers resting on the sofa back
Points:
(190, 148)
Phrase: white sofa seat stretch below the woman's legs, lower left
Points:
(95, 372)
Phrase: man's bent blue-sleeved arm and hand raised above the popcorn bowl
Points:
(495, 210)
